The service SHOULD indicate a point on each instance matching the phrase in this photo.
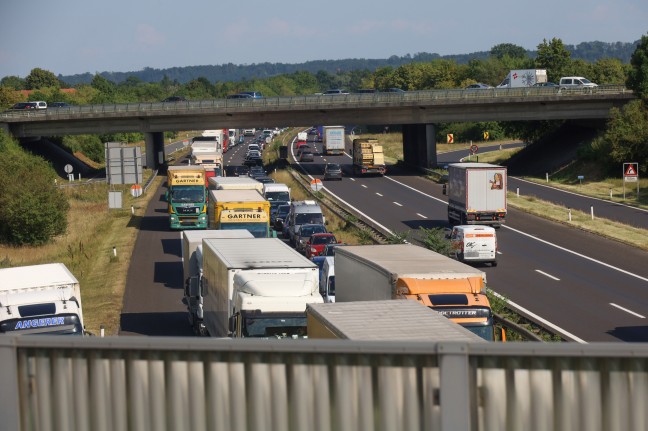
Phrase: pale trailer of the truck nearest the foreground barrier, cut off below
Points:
(389, 321)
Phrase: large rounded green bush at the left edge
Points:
(32, 209)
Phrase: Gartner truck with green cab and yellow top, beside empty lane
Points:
(186, 197)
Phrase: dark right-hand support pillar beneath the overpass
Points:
(419, 145)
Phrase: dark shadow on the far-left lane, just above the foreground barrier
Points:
(174, 324)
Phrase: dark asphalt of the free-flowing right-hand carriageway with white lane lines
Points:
(588, 287)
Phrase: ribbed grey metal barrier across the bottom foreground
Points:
(166, 383)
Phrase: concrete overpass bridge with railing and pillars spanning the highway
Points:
(416, 111)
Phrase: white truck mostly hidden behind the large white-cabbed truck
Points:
(192, 270)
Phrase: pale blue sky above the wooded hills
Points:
(69, 37)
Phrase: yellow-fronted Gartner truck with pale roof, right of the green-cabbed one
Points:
(240, 209)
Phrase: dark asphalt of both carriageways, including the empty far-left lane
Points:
(587, 287)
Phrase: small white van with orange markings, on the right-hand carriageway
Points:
(474, 243)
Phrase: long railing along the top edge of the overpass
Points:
(286, 102)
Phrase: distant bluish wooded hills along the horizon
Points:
(587, 51)
